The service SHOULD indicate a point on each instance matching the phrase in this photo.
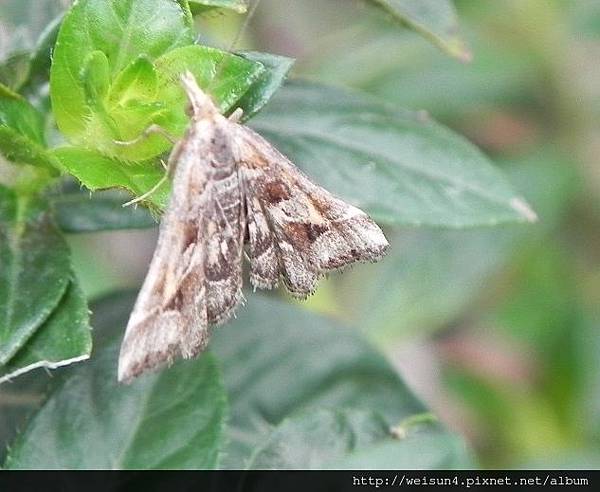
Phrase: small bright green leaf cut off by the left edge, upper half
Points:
(22, 131)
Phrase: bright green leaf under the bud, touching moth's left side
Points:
(98, 172)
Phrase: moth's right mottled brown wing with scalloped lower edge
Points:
(297, 231)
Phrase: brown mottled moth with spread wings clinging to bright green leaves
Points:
(232, 188)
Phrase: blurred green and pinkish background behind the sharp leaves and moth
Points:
(496, 329)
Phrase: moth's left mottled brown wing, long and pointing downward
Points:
(195, 277)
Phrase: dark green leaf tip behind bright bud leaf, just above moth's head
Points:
(277, 68)
